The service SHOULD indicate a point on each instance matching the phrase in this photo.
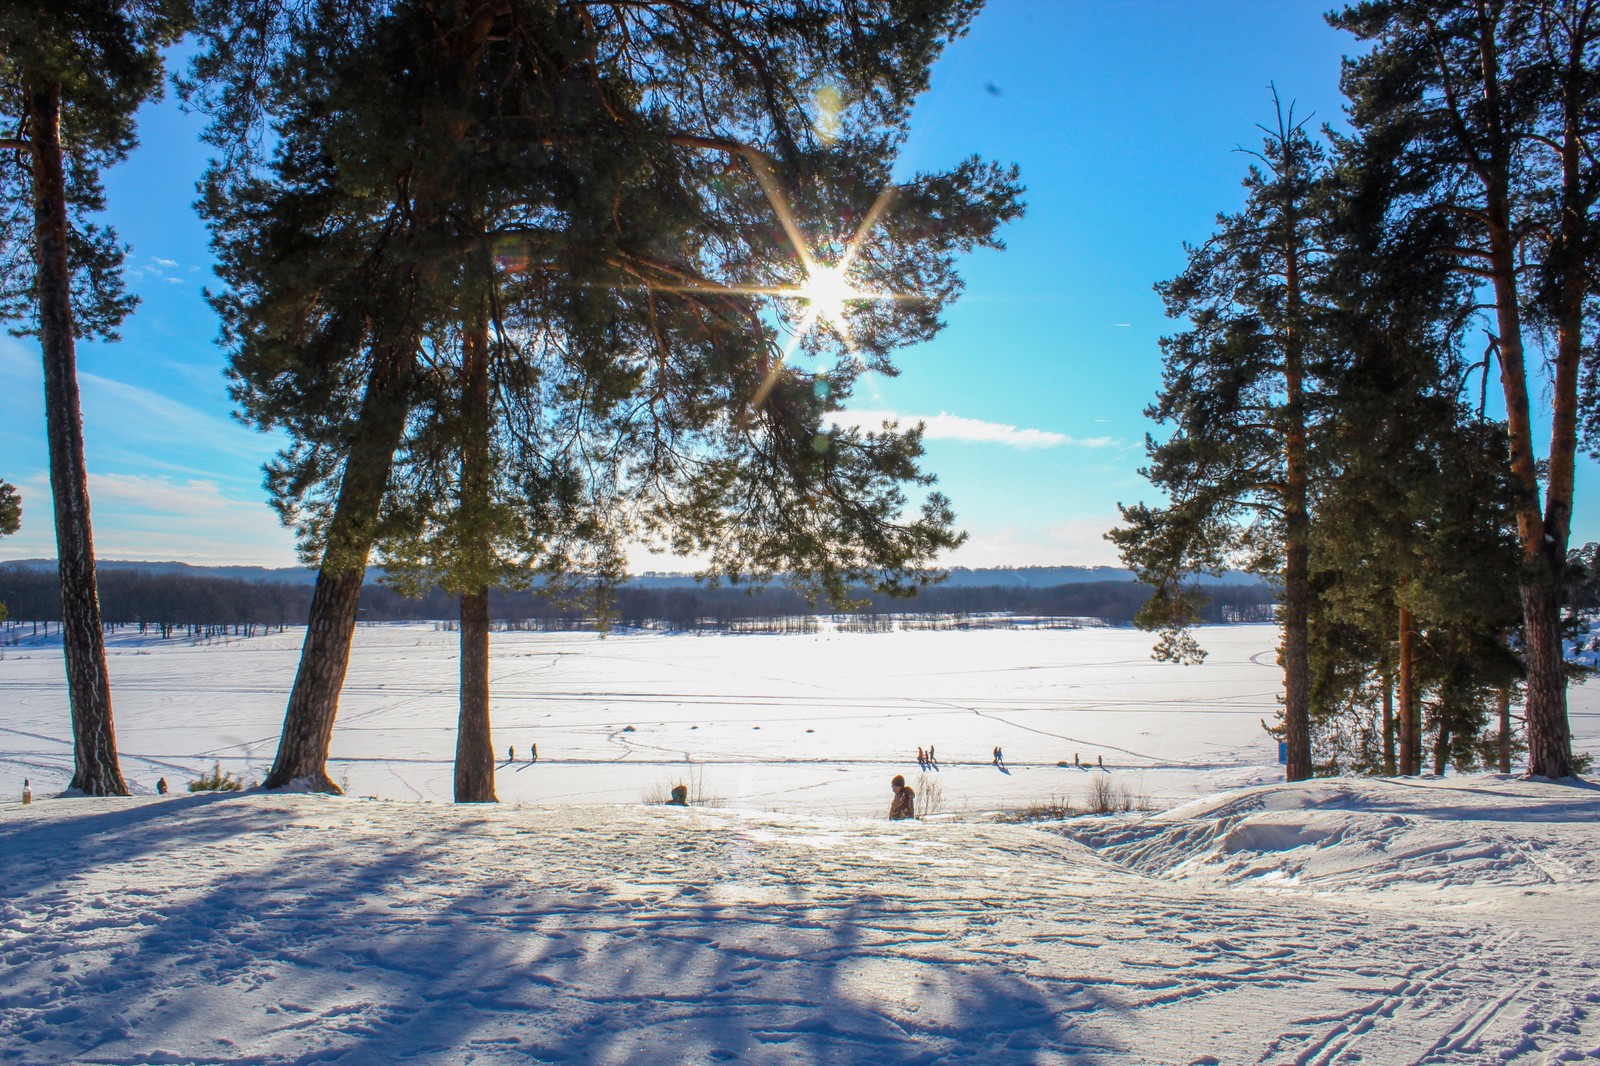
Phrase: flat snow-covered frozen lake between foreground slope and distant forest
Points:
(812, 724)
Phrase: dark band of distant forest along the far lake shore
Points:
(183, 604)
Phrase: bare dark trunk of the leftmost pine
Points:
(82, 639)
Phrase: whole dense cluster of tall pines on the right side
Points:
(1327, 393)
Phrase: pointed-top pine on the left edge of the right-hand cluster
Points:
(1236, 390)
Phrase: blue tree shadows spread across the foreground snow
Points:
(513, 942)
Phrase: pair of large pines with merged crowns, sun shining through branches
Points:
(590, 210)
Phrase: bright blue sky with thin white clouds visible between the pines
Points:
(1124, 118)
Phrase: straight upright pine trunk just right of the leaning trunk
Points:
(474, 745)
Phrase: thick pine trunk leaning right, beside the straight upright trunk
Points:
(330, 628)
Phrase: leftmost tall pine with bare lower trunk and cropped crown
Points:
(71, 78)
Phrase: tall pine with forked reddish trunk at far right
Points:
(1489, 108)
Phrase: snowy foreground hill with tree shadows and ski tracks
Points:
(1327, 923)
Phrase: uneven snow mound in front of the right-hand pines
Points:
(1462, 841)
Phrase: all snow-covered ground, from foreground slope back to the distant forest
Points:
(1326, 923)
